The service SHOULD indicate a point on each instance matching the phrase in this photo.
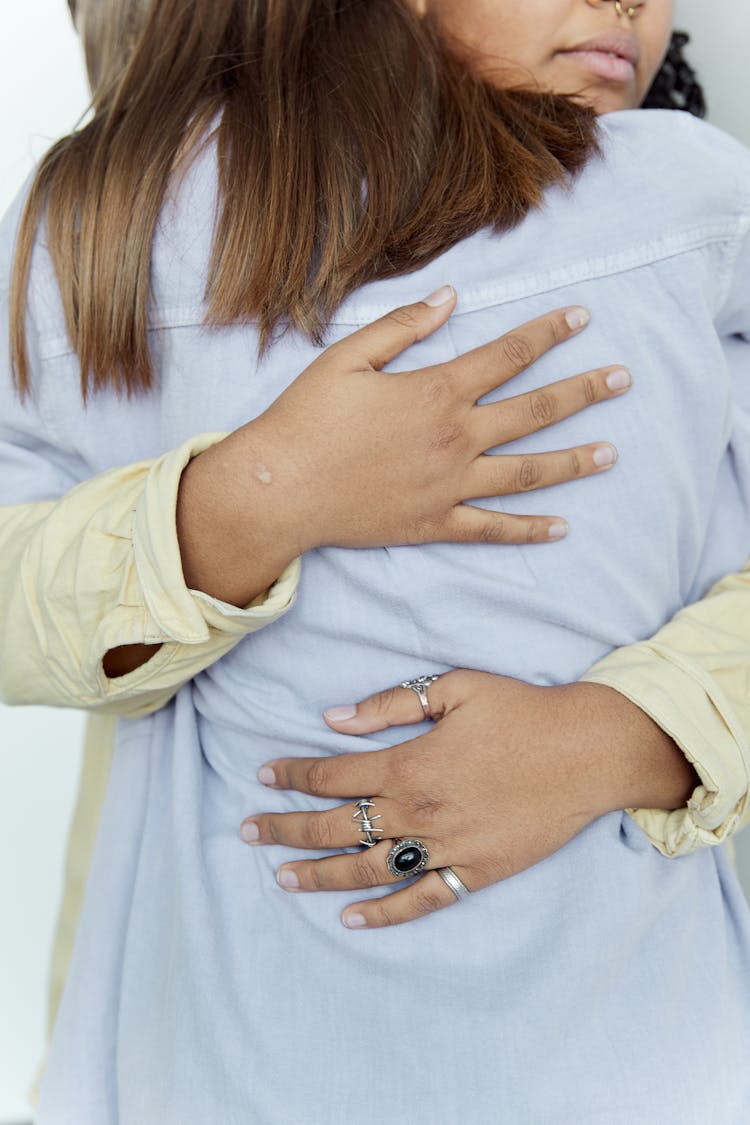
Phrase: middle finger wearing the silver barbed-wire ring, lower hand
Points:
(336, 829)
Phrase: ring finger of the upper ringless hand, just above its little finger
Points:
(498, 475)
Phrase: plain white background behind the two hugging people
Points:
(42, 95)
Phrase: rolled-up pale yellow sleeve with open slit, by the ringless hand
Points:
(100, 569)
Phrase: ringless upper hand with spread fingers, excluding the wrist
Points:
(367, 458)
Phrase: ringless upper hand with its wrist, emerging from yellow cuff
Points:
(353, 456)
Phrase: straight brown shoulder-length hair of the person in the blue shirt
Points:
(354, 145)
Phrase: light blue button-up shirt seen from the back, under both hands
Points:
(607, 985)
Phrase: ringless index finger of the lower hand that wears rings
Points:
(354, 776)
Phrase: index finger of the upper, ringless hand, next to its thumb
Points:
(493, 365)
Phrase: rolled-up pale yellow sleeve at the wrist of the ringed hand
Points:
(693, 679)
